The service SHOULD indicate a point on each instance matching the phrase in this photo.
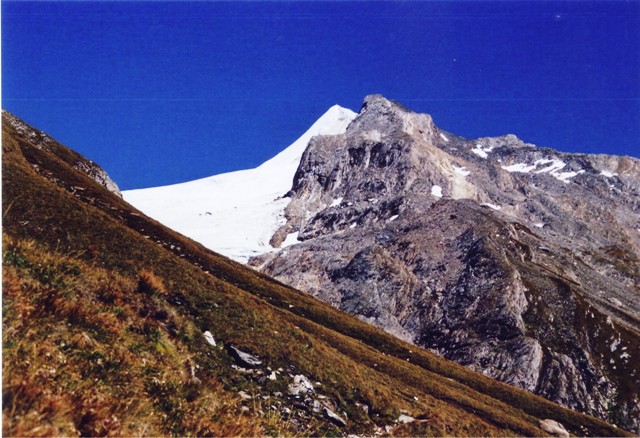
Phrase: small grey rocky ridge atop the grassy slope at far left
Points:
(43, 141)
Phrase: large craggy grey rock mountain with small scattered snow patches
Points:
(517, 261)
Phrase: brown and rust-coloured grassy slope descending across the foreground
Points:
(90, 346)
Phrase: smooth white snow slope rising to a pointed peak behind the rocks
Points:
(236, 213)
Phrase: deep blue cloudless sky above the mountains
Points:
(164, 92)
